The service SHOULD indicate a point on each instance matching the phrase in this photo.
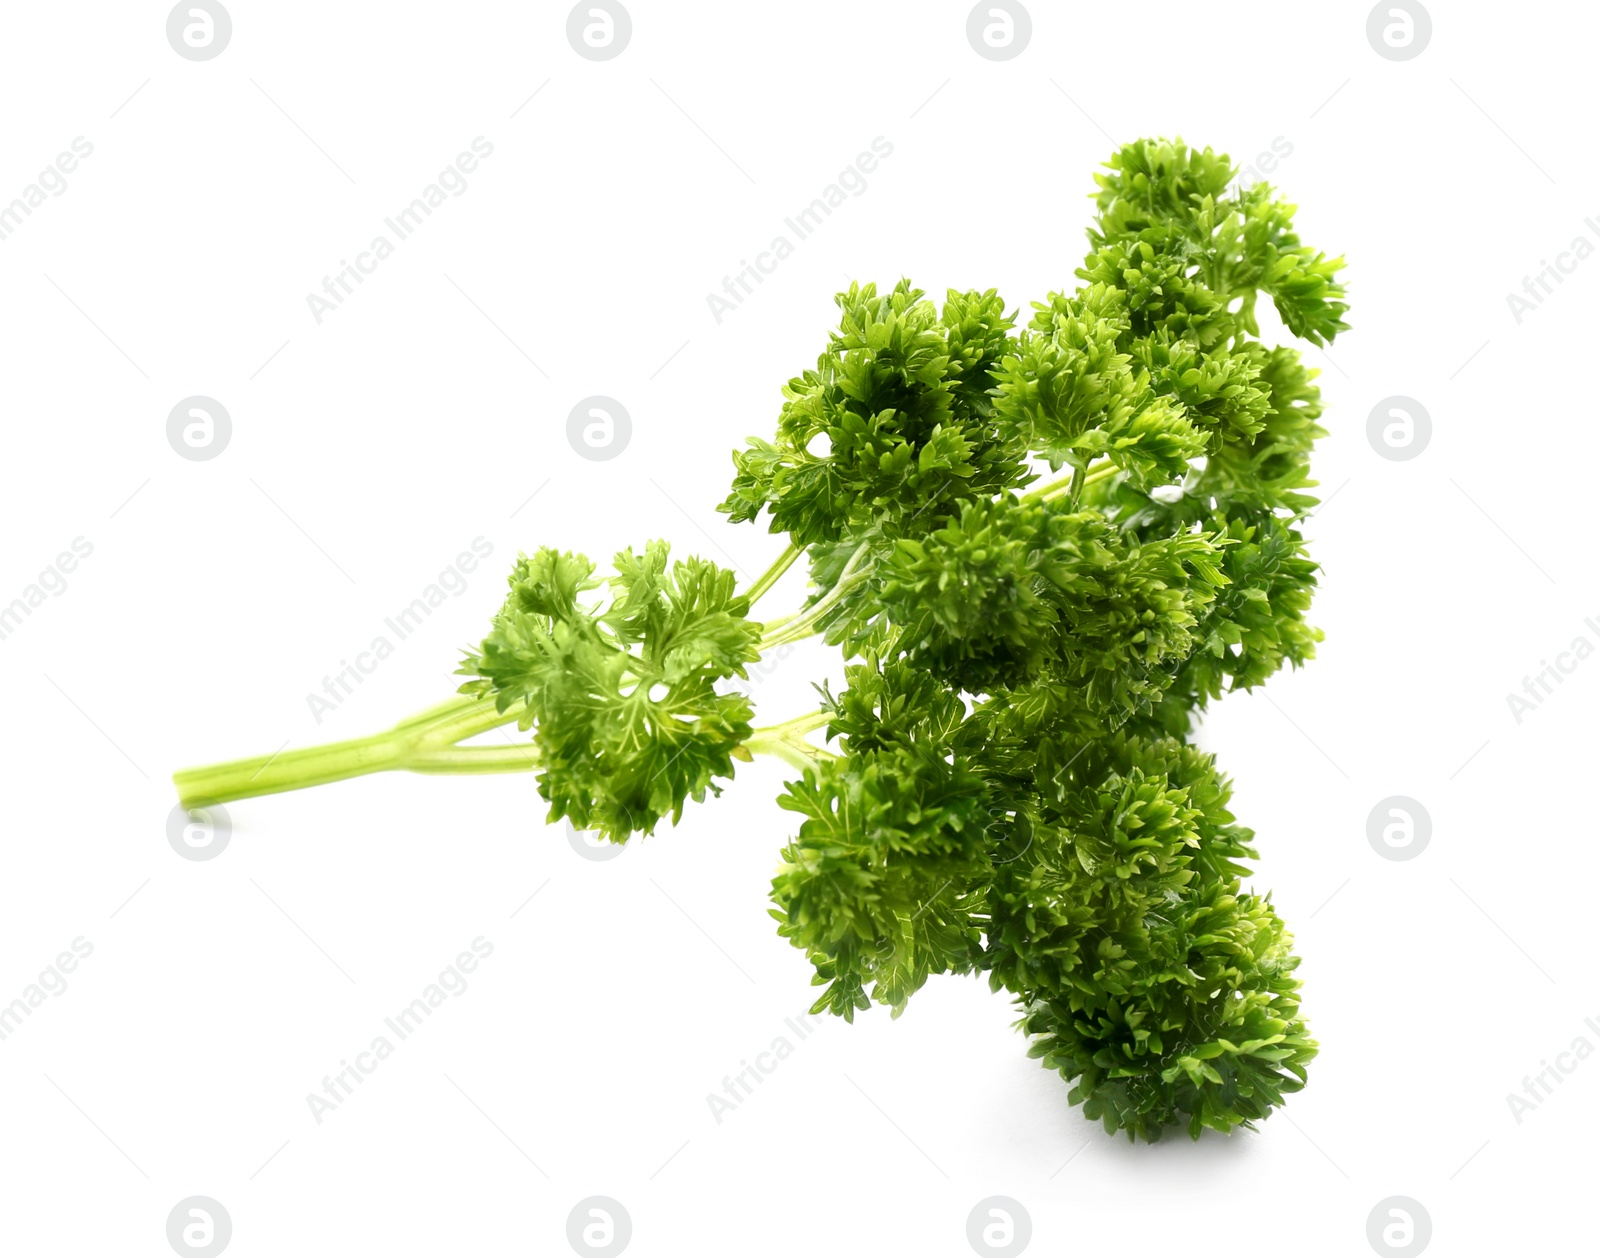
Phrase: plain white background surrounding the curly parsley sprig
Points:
(372, 449)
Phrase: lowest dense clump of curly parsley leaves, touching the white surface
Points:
(1143, 969)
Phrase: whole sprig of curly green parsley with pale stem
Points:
(1010, 788)
